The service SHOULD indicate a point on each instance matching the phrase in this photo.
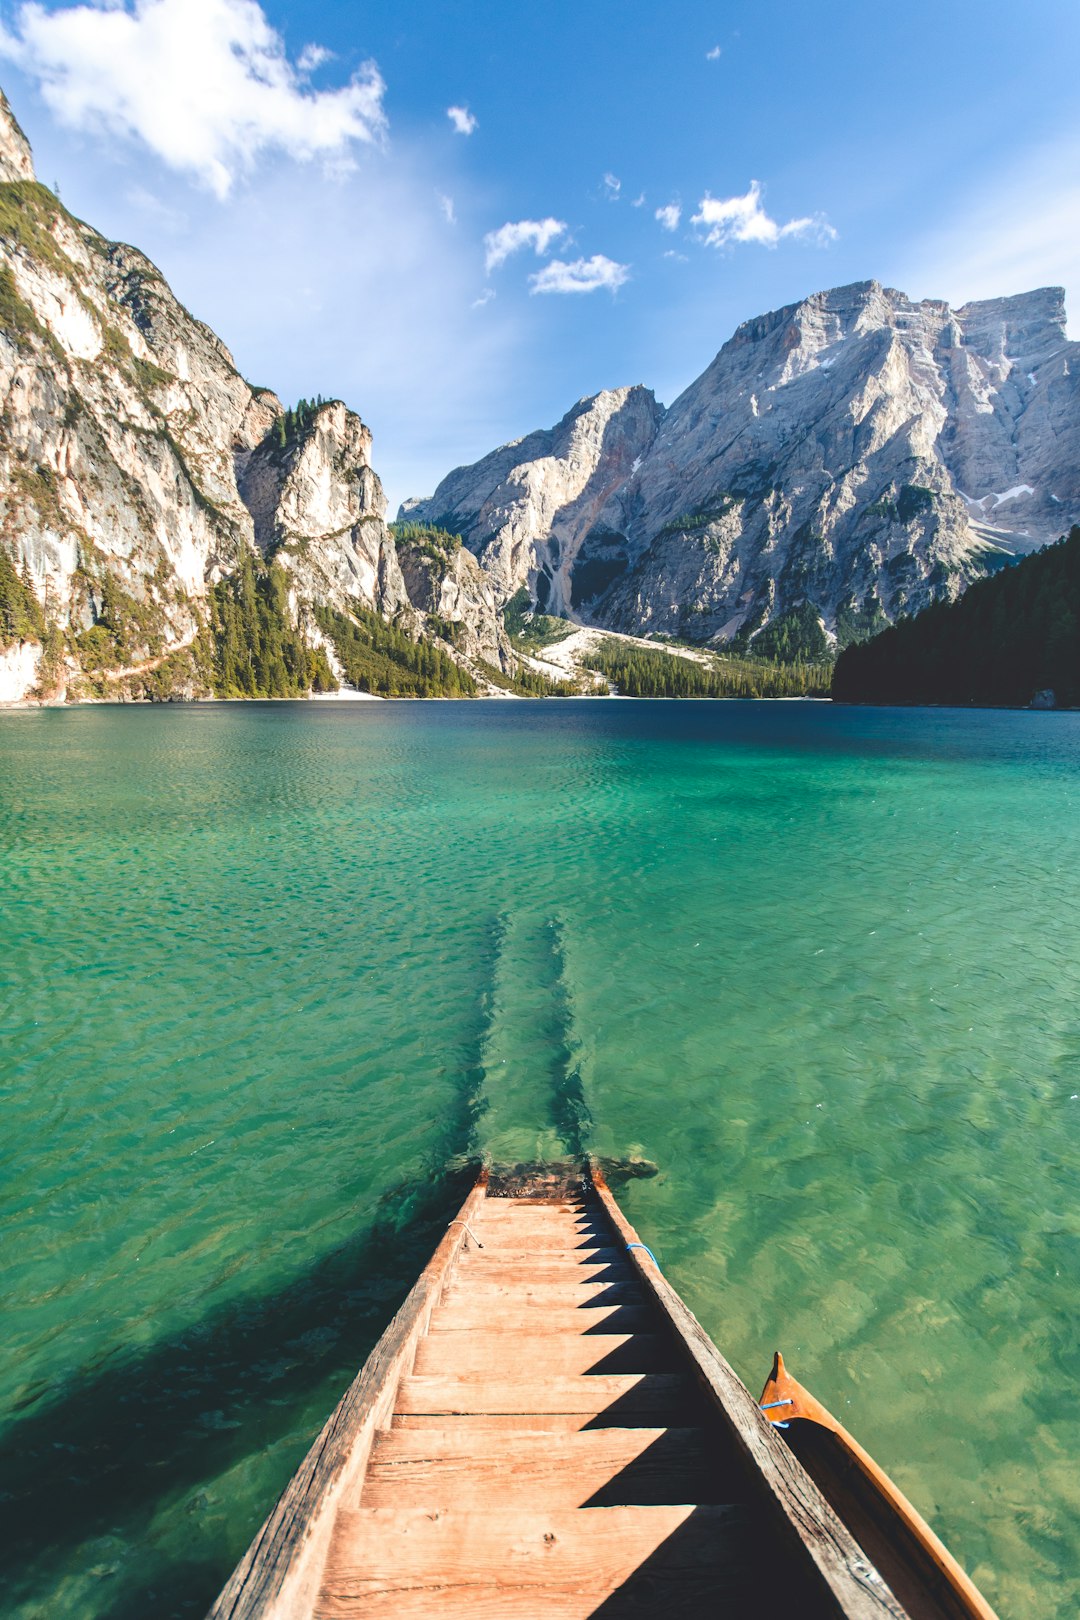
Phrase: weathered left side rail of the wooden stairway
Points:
(279, 1575)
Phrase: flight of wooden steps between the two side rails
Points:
(546, 1456)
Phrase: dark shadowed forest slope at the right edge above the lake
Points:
(1001, 644)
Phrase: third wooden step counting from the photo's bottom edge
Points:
(636, 1392)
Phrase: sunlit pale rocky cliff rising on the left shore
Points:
(137, 466)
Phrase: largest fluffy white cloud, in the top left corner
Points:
(205, 83)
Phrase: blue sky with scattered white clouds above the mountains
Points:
(666, 171)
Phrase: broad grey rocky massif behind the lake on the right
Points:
(856, 453)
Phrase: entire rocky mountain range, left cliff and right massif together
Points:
(171, 531)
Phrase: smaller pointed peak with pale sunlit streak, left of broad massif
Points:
(527, 508)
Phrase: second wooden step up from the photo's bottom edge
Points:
(443, 1469)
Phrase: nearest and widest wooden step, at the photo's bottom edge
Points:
(414, 1564)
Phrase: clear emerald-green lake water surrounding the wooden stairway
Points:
(266, 971)
